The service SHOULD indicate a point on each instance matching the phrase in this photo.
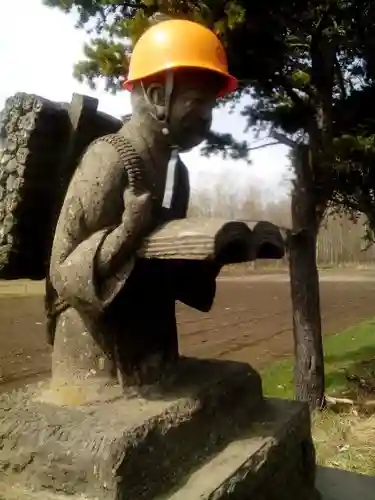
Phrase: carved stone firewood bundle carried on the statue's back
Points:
(34, 132)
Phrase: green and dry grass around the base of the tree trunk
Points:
(343, 439)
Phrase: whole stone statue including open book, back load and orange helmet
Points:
(105, 191)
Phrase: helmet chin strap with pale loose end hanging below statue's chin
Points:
(172, 163)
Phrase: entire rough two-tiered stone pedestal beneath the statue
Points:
(206, 434)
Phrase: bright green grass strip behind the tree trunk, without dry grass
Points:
(344, 352)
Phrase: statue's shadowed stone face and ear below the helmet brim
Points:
(190, 110)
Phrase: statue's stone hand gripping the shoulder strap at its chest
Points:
(138, 210)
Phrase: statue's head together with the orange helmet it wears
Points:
(177, 72)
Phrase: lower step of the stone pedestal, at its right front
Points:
(272, 460)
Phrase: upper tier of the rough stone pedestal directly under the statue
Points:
(133, 447)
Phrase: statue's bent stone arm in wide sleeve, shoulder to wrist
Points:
(89, 274)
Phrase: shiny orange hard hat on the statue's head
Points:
(175, 44)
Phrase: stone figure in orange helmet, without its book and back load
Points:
(116, 313)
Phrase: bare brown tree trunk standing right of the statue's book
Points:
(305, 294)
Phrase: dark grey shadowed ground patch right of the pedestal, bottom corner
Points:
(338, 484)
